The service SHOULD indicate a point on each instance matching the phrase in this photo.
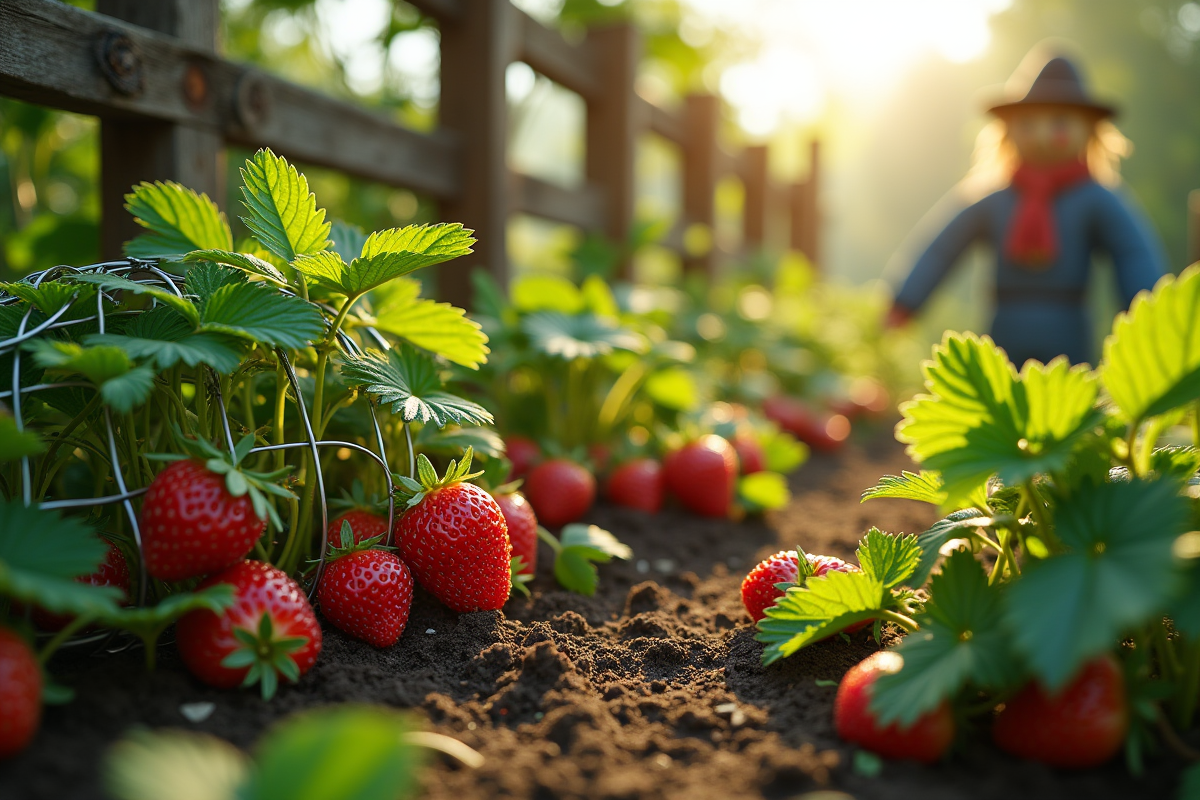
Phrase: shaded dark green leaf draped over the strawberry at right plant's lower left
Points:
(962, 641)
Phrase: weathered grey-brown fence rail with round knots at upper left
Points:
(47, 57)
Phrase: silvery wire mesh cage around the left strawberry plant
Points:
(70, 320)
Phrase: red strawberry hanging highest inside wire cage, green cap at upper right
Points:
(205, 514)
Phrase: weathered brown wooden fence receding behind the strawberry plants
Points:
(169, 105)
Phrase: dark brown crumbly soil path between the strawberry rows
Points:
(652, 689)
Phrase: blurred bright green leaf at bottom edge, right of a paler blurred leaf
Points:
(346, 753)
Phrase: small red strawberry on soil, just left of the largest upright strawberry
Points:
(365, 592)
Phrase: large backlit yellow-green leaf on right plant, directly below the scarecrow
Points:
(981, 419)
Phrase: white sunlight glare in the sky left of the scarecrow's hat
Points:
(851, 50)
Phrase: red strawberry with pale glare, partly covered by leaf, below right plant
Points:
(927, 741)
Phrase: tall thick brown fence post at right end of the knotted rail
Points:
(477, 50)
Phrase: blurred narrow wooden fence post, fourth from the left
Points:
(700, 165)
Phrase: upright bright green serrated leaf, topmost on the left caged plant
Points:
(281, 212)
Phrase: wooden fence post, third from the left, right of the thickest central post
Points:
(613, 131)
